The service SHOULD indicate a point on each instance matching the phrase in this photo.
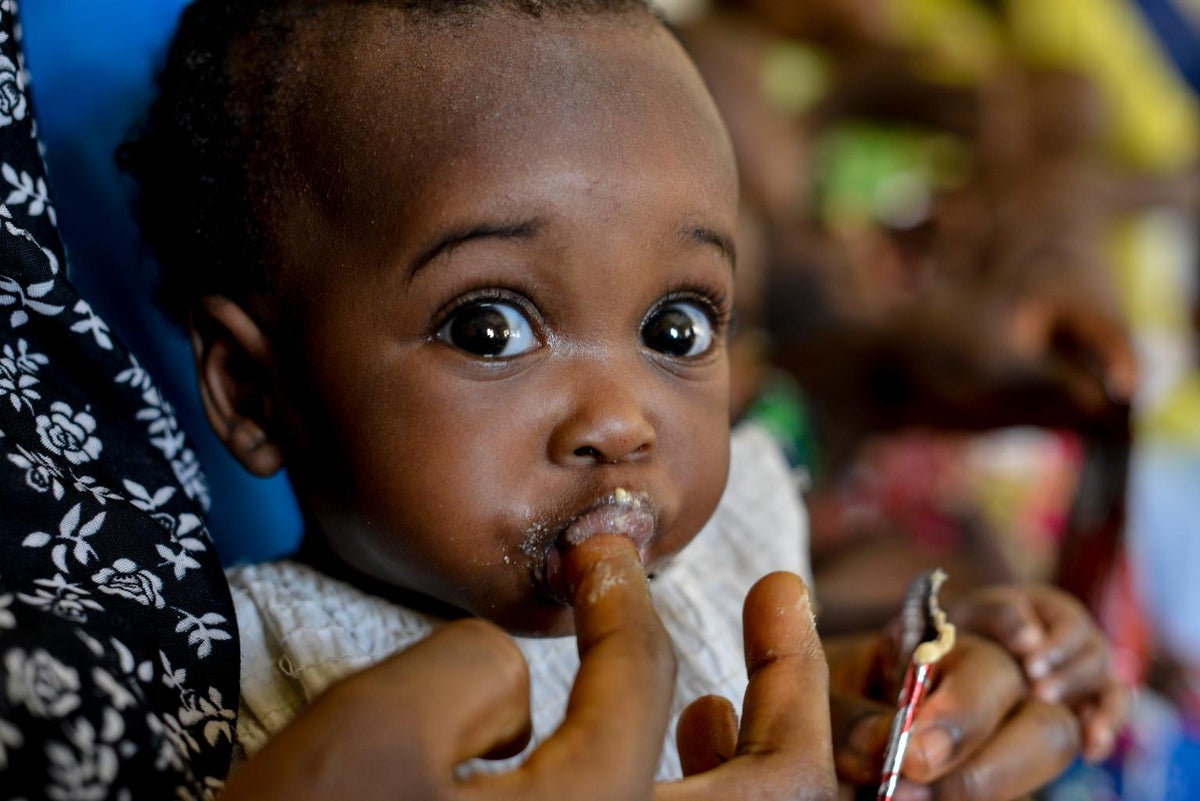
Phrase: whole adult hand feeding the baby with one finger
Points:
(399, 730)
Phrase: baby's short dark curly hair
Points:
(201, 158)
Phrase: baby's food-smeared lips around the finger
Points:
(621, 513)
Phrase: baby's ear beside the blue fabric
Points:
(233, 364)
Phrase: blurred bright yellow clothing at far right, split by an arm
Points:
(1155, 128)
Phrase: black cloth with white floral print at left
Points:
(118, 643)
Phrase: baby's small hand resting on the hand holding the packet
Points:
(1063, 651)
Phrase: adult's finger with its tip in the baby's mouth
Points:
(617, 715)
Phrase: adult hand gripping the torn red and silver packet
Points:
(979, 737)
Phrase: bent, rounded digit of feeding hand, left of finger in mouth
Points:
(465, 690)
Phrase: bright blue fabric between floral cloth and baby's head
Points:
(92, 67)
